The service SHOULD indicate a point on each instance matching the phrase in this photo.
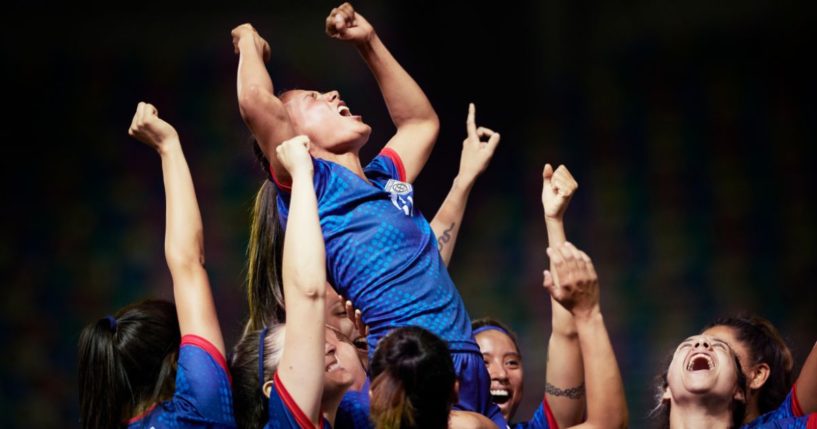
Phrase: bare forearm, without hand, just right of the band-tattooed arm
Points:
(606, 404)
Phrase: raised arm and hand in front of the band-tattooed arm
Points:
(574, 284)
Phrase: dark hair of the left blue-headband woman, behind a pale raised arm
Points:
(249, 402)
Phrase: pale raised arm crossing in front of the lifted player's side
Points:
(304, 273)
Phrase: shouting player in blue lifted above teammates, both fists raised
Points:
(381, 252)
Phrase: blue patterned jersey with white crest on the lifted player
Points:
(381, 252)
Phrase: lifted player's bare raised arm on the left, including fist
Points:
(261, 110)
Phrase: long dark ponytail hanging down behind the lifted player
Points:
(265, 294)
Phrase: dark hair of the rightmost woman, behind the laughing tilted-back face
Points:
(765, 345)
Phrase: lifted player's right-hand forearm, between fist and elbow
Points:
(405, 100)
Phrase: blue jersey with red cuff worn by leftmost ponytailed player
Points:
(203, 398)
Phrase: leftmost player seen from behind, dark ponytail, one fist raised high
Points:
(152, 364)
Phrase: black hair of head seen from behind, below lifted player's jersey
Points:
(412, 381)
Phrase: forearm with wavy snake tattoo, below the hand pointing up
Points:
(446, 223)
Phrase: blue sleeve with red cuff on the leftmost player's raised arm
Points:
(203, 382)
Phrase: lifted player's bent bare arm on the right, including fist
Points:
(417, 123)
